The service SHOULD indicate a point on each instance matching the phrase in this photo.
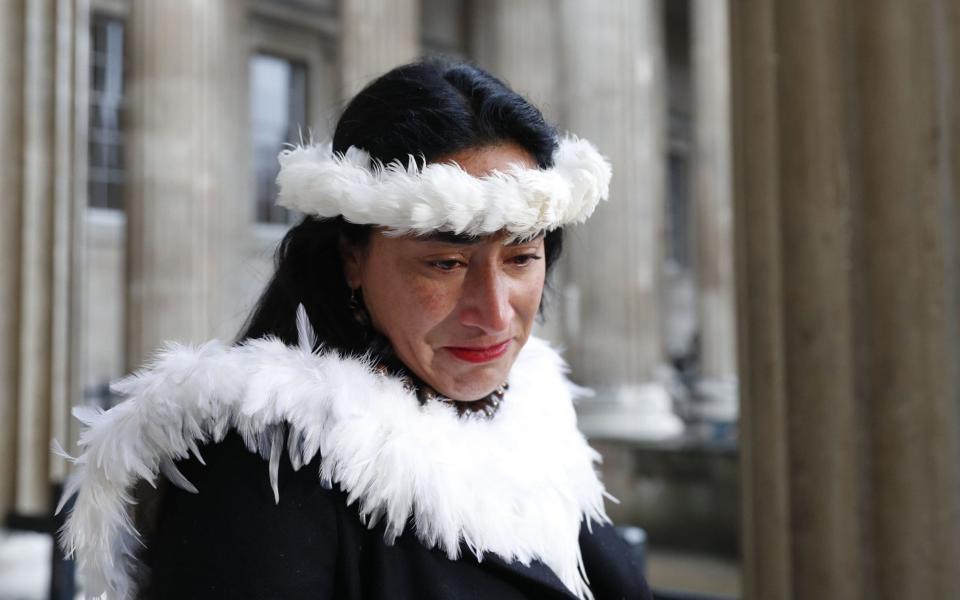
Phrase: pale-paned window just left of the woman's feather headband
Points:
(278, 106)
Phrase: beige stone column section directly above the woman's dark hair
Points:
(376, 36)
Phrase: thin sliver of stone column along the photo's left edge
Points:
(11, 172)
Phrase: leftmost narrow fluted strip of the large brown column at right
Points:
(767, 557)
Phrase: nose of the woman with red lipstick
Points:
(485, 303)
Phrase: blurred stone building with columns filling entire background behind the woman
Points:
(137, 187)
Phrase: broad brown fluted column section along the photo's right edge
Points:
(909, 297)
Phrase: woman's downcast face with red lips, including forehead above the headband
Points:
(456, 311)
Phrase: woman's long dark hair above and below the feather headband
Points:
(427, 110)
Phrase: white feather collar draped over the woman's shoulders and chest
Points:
(518, 485)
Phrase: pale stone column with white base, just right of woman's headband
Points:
(615, 95)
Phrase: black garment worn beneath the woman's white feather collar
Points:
(232, 541)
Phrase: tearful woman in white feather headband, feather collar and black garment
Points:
(386, 427)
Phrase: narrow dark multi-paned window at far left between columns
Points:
(106, 170)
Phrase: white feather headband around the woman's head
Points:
(442, 196)
